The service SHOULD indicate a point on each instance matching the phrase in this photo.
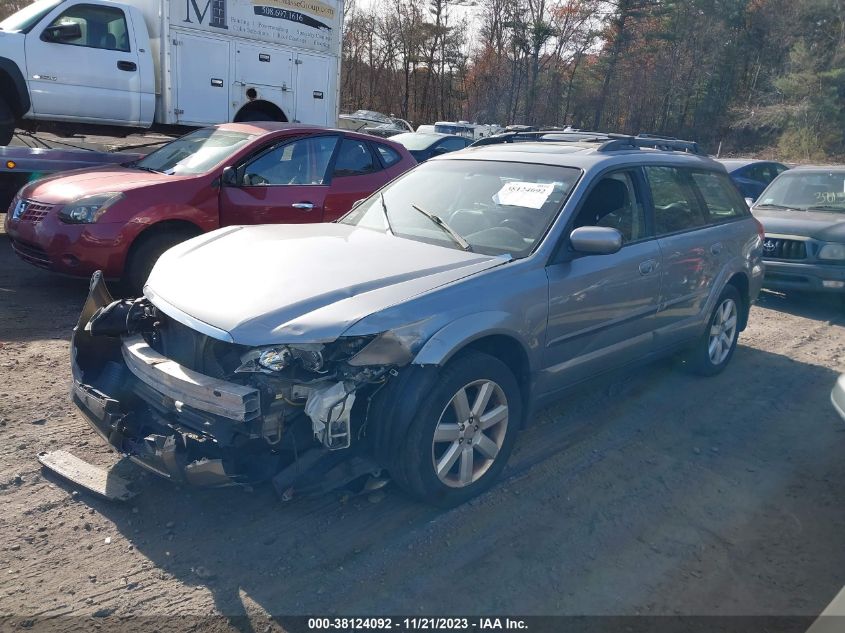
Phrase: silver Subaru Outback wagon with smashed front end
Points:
(420, 332)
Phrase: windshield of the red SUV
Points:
(196, 152)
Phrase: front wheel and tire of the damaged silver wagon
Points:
(473, 373)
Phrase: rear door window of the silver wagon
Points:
(676, 206)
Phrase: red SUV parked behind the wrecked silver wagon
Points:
(120, 219)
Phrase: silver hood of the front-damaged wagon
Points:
(298, 282)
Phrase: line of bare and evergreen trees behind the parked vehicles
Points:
(746, 75)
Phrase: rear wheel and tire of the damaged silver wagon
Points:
(712, 353)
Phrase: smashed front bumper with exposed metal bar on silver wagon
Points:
(133, 398)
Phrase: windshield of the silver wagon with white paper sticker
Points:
(487, 207)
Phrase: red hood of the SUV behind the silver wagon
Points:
(69, 186)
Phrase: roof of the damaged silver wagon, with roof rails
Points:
(584, 155)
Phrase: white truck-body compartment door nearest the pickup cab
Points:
(202, 80)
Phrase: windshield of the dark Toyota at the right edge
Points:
(807, 190)
